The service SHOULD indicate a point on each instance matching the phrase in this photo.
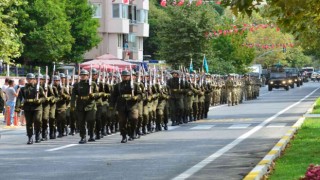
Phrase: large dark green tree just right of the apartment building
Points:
(183, 34)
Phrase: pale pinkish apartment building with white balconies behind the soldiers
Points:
(123, 25)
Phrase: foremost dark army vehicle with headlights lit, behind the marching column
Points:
(279, 80)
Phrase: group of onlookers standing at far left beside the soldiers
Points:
(9, 94)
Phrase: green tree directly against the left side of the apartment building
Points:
(83, 29)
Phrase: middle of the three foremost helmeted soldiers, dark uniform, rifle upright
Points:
(83, 102)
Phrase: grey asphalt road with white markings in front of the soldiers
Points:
(227, 145)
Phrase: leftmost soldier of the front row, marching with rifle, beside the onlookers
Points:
(33, 96)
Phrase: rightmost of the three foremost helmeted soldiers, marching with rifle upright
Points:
(126, 96)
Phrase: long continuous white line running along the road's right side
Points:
(226, 148)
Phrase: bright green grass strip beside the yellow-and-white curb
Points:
(302, 151)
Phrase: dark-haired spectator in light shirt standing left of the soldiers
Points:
(12, 95)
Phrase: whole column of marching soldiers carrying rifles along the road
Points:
(99, 103)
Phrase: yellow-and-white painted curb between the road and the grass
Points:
(262, 168)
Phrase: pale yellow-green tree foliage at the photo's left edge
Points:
(10, 41)
